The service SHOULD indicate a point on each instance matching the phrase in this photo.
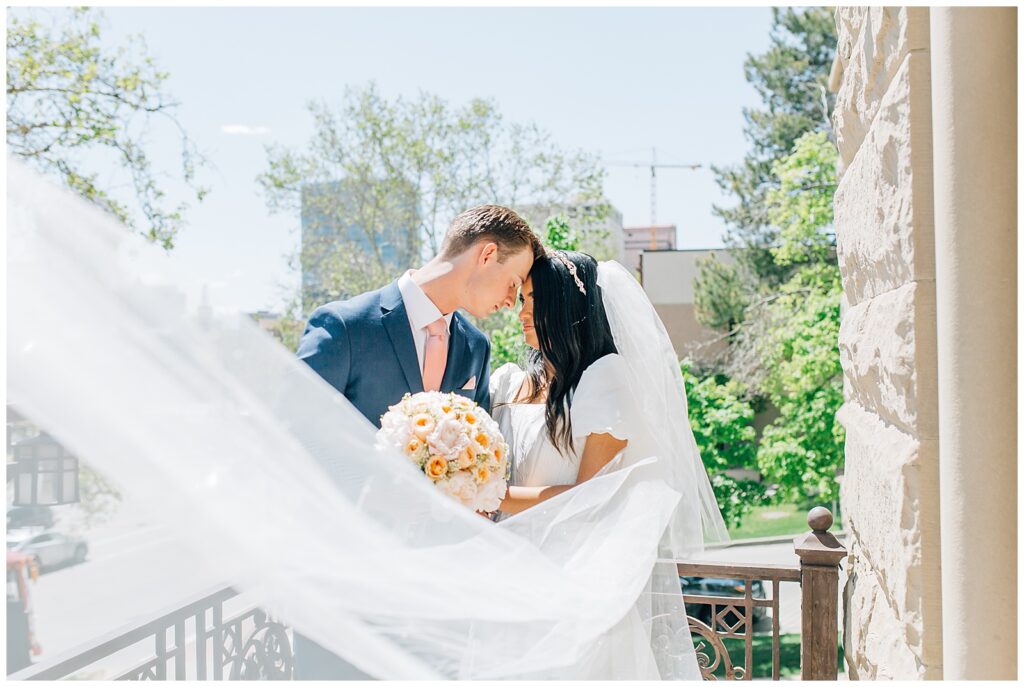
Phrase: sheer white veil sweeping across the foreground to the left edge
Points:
(276, 485)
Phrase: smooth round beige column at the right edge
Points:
(974, 104)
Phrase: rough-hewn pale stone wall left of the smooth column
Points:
(885, 235)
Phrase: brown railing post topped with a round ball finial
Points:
(820, 554)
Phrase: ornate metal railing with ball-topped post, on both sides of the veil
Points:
(194, 642)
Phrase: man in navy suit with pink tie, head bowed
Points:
(408, 337)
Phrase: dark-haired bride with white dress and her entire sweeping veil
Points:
(275, 485)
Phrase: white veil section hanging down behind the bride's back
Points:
(657, 387)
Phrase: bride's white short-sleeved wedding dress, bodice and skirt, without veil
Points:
(601, 406)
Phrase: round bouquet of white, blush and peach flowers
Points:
(454, 442)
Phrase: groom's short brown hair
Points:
(495, 224)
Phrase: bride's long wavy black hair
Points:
(573, 332)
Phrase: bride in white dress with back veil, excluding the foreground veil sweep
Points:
(572, 415)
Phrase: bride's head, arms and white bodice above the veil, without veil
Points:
(569, 416)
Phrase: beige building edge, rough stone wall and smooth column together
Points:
(926, 230)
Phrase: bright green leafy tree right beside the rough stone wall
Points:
(794, 335)
